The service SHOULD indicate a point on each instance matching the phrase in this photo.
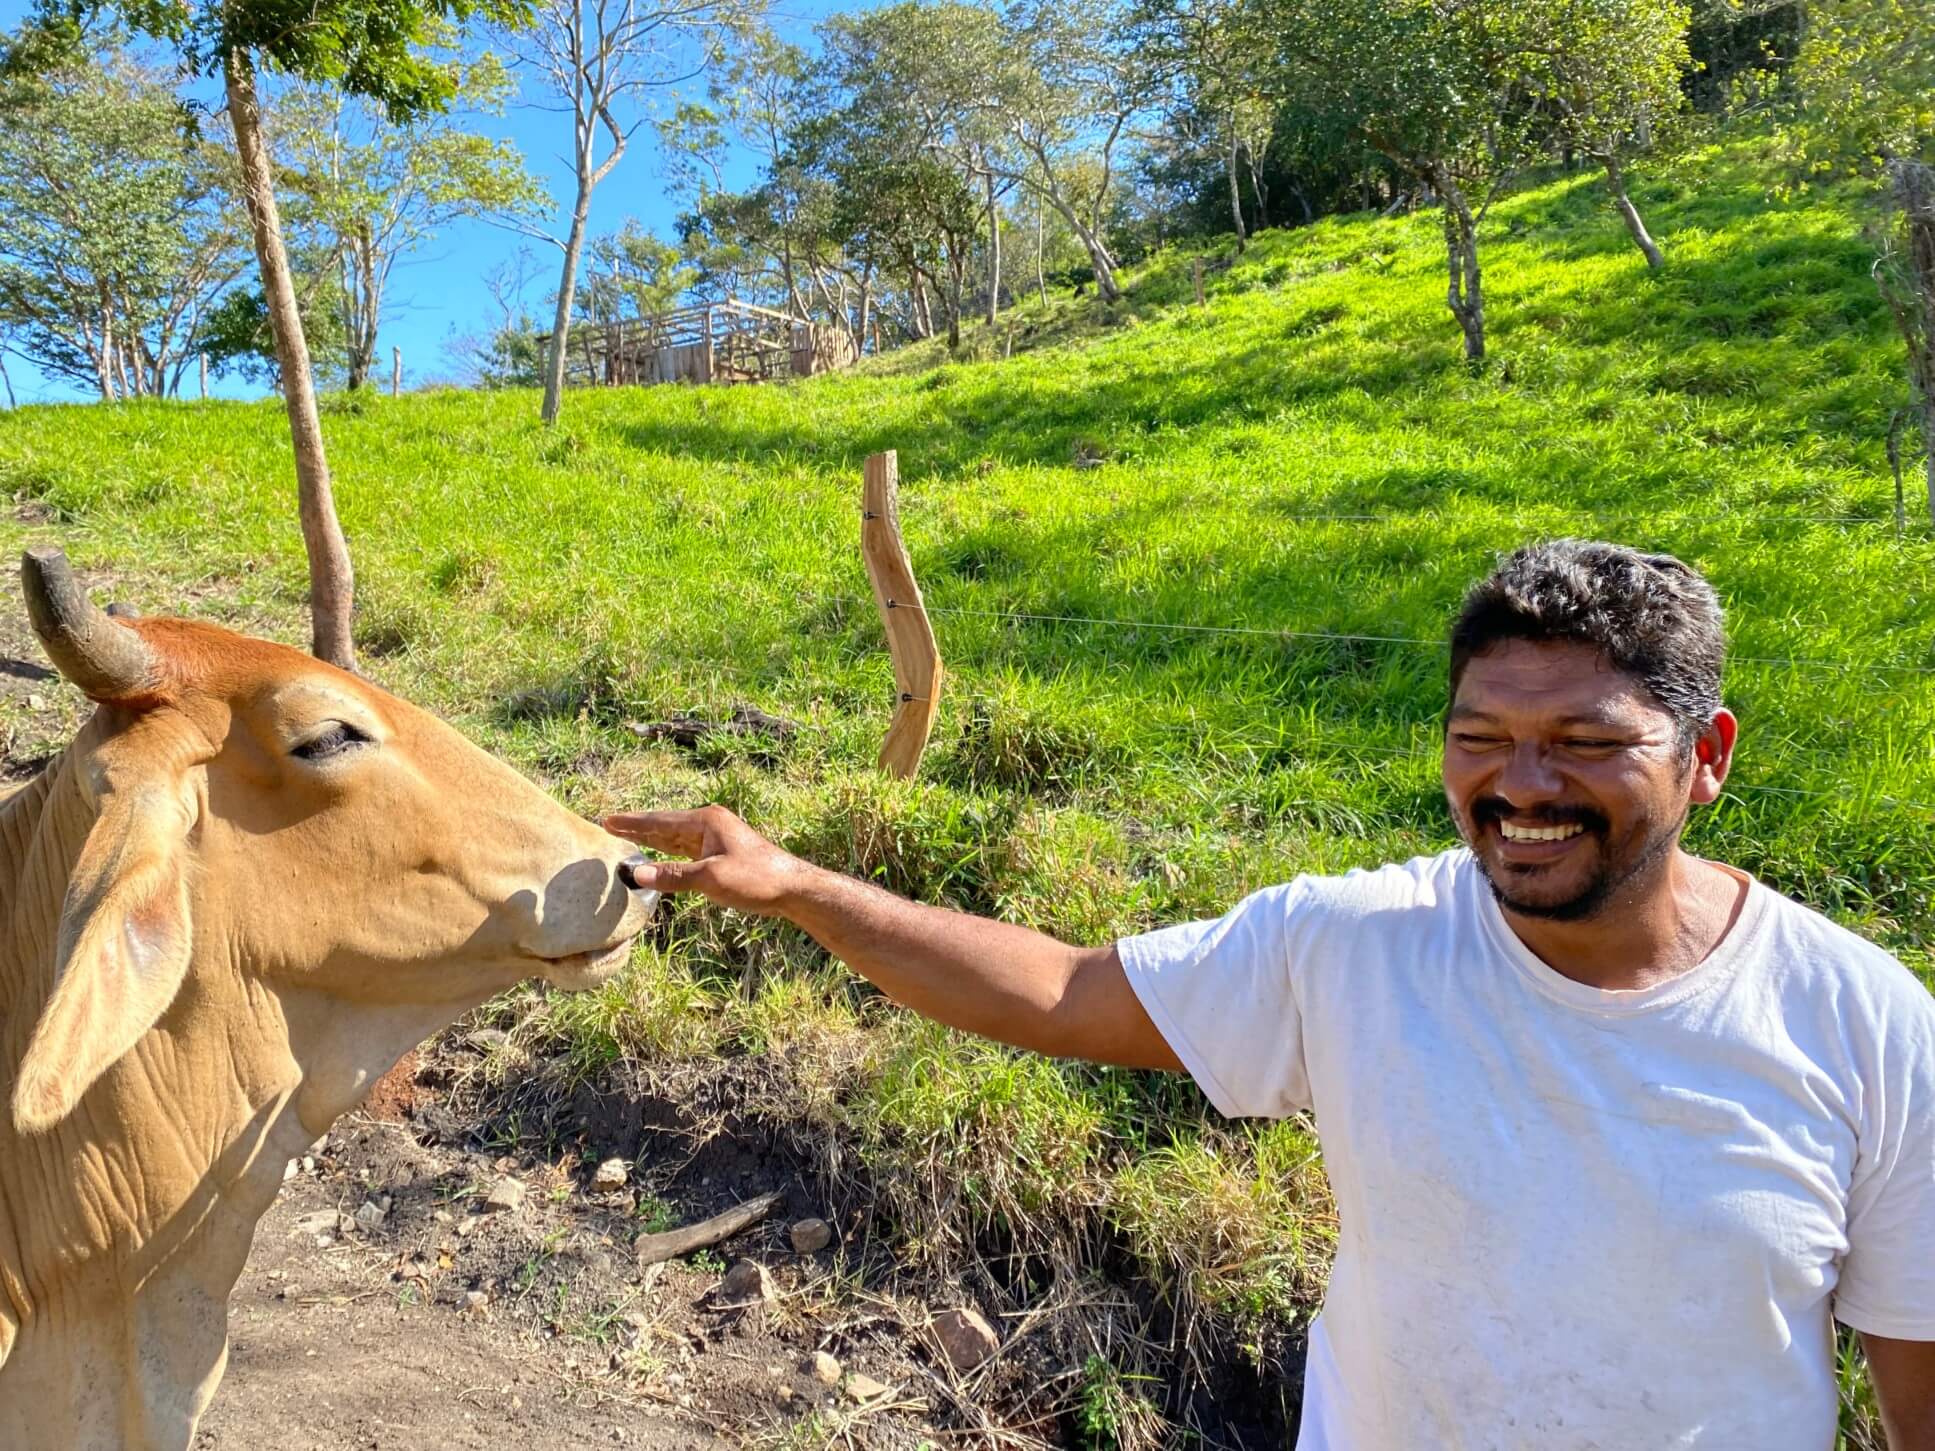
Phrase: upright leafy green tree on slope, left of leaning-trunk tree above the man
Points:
(1439, 88)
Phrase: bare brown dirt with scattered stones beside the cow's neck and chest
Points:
(432, 1320)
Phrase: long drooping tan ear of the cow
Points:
(123, 951)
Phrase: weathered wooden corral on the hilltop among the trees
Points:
(713, 343)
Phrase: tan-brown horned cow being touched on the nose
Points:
(243, 893)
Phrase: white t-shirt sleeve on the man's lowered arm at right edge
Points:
(1888, 1278)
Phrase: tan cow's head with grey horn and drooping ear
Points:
(287, 831)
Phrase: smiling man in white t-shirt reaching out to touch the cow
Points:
(1615, 1131)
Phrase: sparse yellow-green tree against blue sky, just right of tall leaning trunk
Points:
(372, 192)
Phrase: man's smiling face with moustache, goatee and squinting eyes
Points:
(1566, 779)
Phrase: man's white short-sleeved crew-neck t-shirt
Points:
(1574, 1218)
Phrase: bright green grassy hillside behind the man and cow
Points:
(1305, 459)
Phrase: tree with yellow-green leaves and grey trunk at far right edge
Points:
(1868, 76)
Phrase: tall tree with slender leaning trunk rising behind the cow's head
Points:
(363, 47)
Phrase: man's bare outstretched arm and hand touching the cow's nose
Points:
(988, 978)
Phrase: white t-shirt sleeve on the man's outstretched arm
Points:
(1222, 995)
